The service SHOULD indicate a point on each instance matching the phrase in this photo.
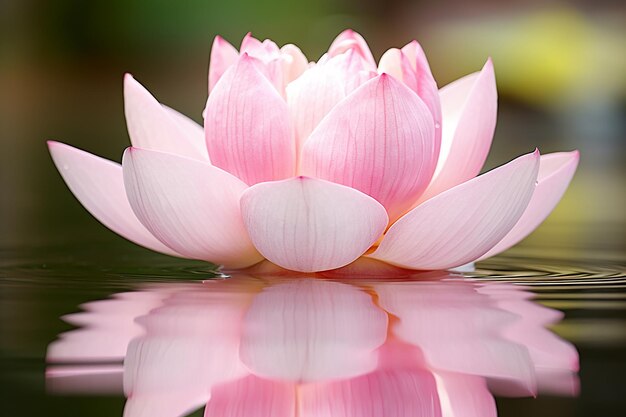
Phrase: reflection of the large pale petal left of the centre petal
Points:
(171, 370)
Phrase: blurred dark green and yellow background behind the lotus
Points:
(560, 68)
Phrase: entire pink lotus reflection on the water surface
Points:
(274, 345)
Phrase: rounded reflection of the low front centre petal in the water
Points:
(312, 330)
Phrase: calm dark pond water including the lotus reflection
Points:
(539, 331)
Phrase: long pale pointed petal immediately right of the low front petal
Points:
(463, 223)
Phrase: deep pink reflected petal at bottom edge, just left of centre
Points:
(252, 397)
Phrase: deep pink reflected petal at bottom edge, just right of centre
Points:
(383, 393)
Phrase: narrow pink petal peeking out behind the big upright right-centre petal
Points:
(410, 66)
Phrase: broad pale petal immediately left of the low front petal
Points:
(189, 205)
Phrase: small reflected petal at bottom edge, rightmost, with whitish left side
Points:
(464, 396)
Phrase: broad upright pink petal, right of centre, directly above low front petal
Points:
(379, 140)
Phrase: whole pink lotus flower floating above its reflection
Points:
(312, 166)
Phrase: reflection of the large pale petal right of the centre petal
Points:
(458, 330)
